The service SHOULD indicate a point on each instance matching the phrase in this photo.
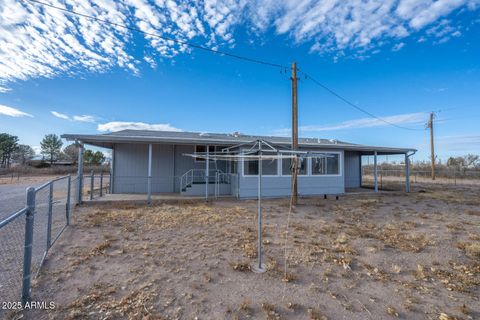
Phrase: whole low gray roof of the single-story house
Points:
(107, 140)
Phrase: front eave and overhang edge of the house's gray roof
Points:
(108, 141)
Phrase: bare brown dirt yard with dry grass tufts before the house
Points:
(414, 256)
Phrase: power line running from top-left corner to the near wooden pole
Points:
(196, 46)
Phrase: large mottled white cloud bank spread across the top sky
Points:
(37, 41)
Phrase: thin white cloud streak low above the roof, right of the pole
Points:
(399, 119)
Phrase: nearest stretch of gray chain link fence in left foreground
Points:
(27, 235)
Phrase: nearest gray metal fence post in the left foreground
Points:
(27, 256)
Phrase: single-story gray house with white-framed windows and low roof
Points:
(165, 162)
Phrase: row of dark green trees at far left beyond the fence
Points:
(50, 147)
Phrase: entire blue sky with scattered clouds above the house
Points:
(397, 59)
